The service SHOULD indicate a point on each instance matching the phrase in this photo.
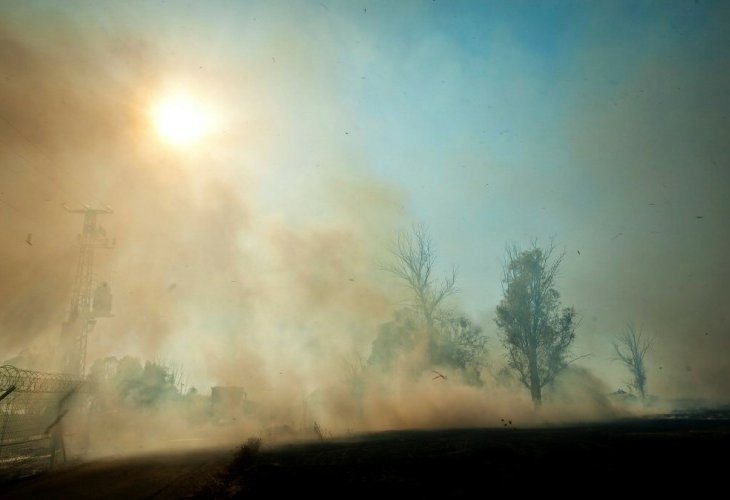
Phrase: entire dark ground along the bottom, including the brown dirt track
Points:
(658, 455)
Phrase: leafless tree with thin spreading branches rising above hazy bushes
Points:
(414, 259)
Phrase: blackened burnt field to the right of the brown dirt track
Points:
(626, 457)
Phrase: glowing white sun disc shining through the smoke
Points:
(180, 119)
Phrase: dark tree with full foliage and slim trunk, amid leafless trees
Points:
(535, 331)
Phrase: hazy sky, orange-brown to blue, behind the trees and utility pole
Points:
(603, 125)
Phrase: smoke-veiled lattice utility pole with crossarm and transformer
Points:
(87, 304)
